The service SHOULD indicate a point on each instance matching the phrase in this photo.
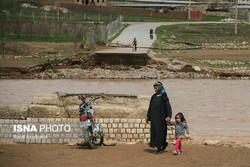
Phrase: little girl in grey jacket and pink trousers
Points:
(180, 127)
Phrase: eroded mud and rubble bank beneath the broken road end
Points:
(122, 66)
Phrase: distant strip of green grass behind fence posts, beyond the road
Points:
(81, 16)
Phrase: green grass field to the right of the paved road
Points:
(202, 34)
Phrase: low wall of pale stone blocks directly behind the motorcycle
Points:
(64, 130)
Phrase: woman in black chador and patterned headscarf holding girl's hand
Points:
(159, 113)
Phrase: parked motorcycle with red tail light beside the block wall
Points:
(92, 133)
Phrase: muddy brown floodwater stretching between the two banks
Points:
(215, 109)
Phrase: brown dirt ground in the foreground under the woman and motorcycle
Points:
(121, 155)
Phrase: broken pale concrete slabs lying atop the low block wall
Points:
(54, 106)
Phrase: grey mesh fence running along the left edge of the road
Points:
(103, 33)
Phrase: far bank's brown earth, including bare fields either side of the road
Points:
(20, 60)
